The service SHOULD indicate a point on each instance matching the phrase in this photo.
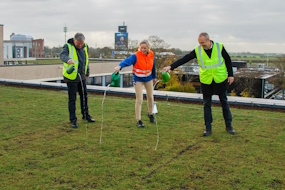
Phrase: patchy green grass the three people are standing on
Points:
(39, 150)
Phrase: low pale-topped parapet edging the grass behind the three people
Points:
(257, 103)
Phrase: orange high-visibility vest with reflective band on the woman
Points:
(143, 66)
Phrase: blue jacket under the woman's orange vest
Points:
(132, 61)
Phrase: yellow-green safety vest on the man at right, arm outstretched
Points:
(213, 67)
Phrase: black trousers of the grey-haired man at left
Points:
(73, 87)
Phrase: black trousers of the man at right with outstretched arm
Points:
(219, 89)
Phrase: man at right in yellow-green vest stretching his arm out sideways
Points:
(215, 74)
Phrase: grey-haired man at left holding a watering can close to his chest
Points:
(75, 54)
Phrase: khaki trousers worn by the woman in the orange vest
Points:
(139, 97)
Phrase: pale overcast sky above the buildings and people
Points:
(256, 26)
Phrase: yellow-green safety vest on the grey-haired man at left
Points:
(73, 55)
